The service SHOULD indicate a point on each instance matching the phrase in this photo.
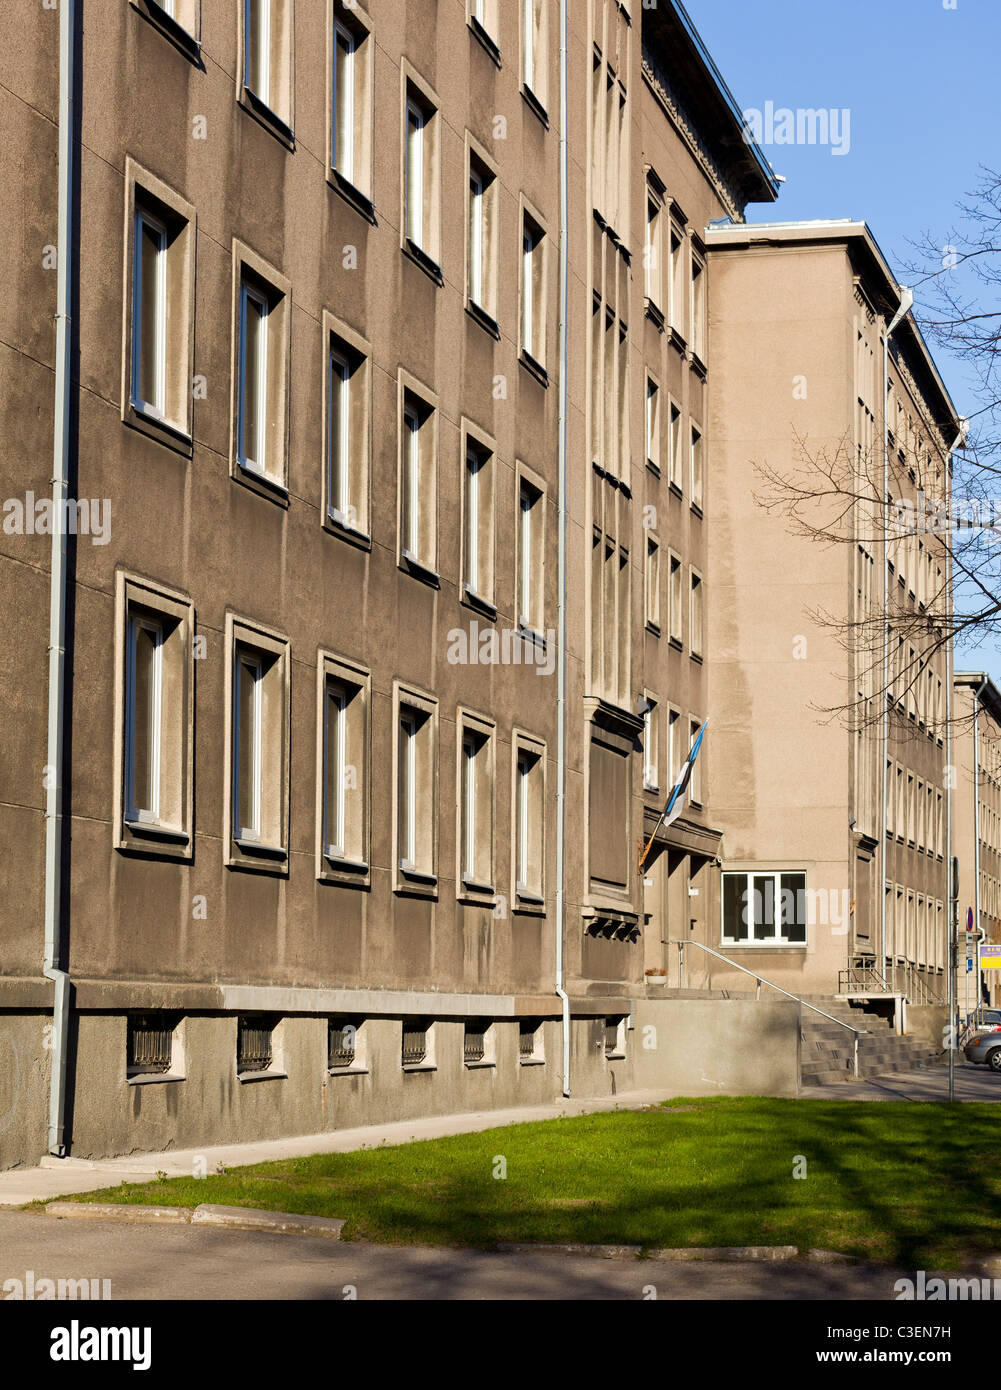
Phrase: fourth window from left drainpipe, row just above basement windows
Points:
(416, 790)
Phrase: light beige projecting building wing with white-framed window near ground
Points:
(847, 871)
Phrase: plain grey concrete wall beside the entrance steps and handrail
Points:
(708, 1047)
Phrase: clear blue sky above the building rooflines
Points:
(922, 83)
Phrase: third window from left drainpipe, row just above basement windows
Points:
(344, 754)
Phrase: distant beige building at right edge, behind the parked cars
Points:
(977, 757)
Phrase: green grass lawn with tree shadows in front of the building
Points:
(915, 1185)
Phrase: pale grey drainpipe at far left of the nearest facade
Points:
(58, 594)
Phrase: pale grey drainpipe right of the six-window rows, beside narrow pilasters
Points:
(562, 568)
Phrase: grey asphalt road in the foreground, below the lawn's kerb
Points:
(190, 1263)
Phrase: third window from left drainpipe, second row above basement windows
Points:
(348, 436)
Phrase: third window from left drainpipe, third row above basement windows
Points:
(351, 99)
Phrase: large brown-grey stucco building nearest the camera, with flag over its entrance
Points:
(284, 846)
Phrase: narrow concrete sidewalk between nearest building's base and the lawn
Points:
(59, 1177)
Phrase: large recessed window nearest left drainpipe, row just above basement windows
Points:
(156, 719)
